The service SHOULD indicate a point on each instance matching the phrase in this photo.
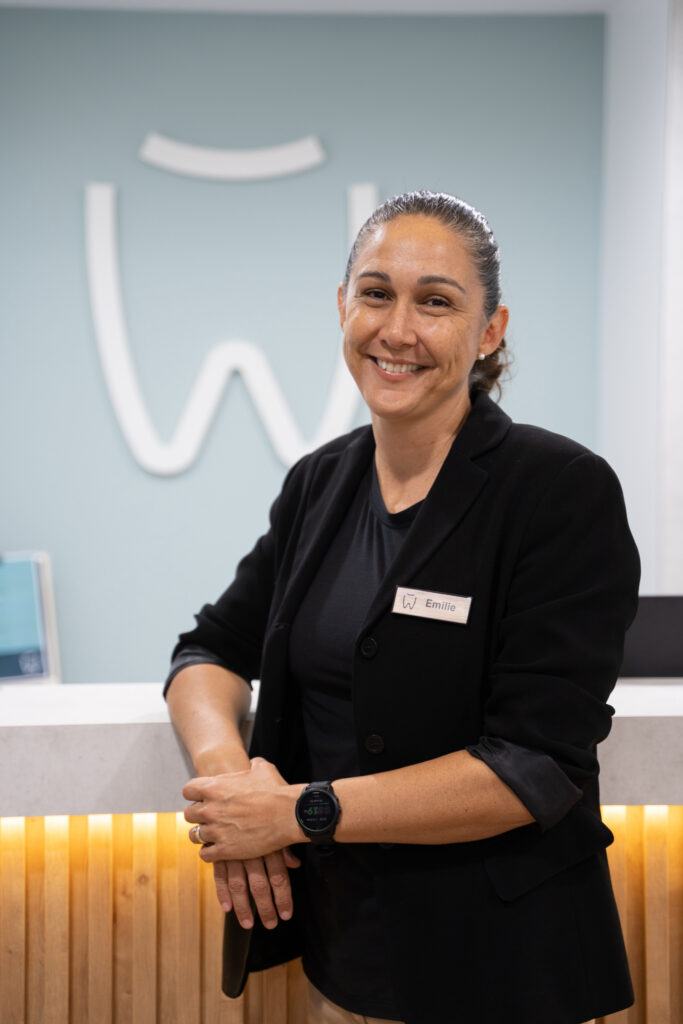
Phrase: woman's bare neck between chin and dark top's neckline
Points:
(409, 459)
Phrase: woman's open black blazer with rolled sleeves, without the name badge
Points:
(522, 928)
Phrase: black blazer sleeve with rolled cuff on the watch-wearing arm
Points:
(573, 594)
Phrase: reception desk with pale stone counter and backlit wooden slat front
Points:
(107, 915)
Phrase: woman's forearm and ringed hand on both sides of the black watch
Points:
(452, 799)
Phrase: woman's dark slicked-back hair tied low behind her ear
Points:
(474, 229)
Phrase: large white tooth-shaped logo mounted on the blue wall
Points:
(236, 356)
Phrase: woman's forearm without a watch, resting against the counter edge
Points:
(207, 705)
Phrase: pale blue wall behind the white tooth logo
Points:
(505, 112)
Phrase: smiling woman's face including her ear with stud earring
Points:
(414, 324)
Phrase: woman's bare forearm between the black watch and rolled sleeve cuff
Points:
(453, 799)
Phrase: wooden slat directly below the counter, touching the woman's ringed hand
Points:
(188, 968)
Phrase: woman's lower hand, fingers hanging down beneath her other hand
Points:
(266, 878)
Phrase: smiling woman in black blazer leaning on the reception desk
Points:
(437, 616)
